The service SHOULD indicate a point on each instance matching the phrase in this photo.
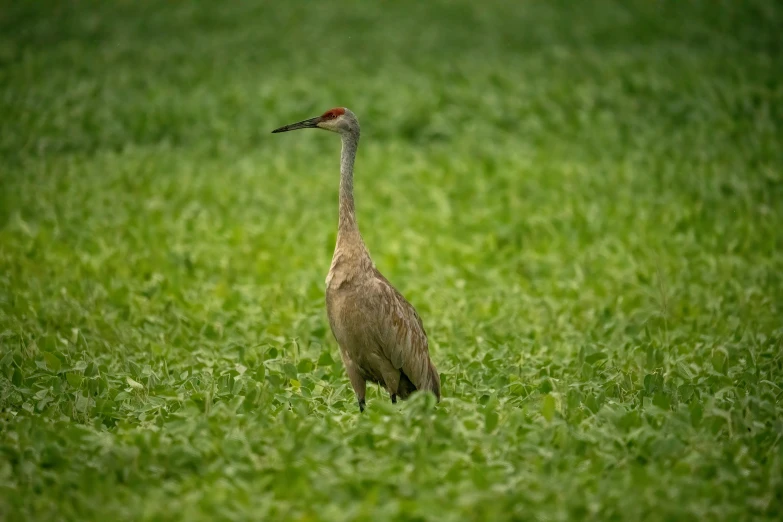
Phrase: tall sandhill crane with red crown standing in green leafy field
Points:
(381, 336)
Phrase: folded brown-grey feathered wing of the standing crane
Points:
(401, 336)
